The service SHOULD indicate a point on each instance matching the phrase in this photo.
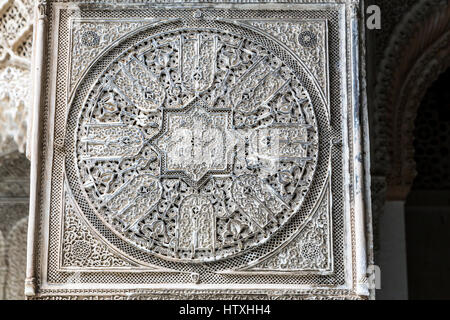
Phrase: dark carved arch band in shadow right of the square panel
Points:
(417, 54)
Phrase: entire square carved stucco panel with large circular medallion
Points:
(196, 143)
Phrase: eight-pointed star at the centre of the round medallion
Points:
(196, 141)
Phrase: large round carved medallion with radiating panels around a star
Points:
(196, 145)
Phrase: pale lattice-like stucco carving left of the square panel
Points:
(16, 31)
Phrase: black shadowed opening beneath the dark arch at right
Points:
(427, 210)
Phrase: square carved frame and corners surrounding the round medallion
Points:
(57, 266)
